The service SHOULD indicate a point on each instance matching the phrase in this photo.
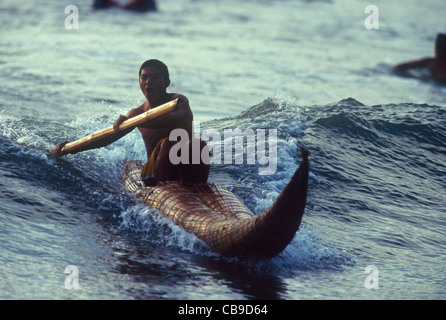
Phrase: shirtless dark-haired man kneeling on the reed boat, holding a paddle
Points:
(153, 81)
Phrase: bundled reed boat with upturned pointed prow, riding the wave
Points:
(220, 219)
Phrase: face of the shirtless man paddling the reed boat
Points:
(152, 83)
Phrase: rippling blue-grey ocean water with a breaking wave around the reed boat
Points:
(375, 219)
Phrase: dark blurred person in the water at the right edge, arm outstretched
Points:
(436, 65)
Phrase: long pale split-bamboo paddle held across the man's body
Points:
(108, 135)
